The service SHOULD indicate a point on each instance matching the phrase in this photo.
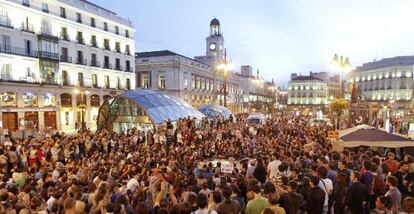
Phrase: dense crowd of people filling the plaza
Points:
(282, 166)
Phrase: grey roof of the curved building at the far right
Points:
(387, 62)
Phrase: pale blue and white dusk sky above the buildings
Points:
(278, 37)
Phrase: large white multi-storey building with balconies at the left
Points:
(50, 47)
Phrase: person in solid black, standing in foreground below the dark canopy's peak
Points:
(357, 195)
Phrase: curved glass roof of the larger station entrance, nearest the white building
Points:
(157, 106)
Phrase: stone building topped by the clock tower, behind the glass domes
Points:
(197, 80)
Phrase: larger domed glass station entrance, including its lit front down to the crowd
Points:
(143, 107)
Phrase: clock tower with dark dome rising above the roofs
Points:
(215, 42)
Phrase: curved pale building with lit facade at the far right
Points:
(386, 81)
